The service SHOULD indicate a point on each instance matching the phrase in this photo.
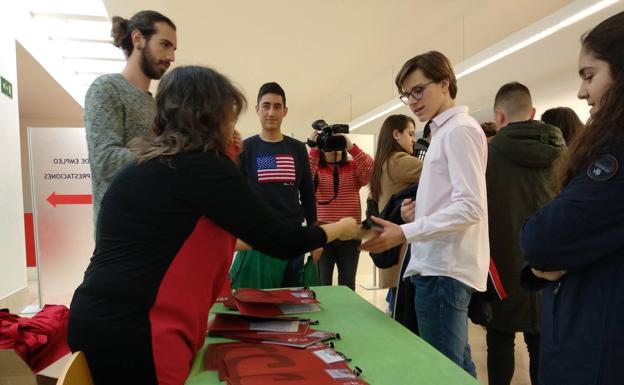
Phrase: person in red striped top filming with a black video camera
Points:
(337, 182)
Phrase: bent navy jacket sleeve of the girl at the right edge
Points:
(579, 227)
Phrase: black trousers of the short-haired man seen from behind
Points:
(500, 359)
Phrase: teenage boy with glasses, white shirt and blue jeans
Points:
(448, 223)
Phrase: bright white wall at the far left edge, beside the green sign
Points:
(13, 253)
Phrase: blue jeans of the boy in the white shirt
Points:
(442, 313)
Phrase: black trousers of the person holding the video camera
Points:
(345, 255)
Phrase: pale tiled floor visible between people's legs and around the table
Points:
(364, 279)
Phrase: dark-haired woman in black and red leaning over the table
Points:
(165, 237)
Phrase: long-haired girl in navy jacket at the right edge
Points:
(575, 244)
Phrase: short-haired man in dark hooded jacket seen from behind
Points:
(518, 177)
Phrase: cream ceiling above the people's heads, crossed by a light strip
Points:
(337, 59)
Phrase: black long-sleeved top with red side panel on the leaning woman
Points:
(164, 243)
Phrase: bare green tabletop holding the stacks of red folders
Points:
(388, 353)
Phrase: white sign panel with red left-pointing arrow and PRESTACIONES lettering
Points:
(62, 209)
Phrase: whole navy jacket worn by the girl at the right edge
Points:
(581, 231)
